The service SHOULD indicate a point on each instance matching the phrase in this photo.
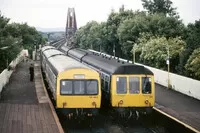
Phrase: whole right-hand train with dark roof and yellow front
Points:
(126, 88)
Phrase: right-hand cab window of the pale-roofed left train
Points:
(92, 87)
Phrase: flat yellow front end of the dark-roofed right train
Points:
(131, 93)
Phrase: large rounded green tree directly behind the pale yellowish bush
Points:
(155, 24)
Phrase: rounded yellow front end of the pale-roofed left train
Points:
(78, 94)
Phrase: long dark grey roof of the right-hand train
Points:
(106, 63)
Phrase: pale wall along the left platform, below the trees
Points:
(5, 74)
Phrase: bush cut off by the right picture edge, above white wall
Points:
(193, 64)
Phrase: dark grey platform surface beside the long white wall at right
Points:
(184, 108)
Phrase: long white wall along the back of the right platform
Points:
(178, 83)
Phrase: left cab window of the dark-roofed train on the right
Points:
(121, 85)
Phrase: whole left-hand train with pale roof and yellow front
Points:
(75, 87)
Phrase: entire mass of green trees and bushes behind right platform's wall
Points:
(151, 33)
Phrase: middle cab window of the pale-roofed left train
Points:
(79, 87)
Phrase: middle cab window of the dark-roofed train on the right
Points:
(134, 85)
